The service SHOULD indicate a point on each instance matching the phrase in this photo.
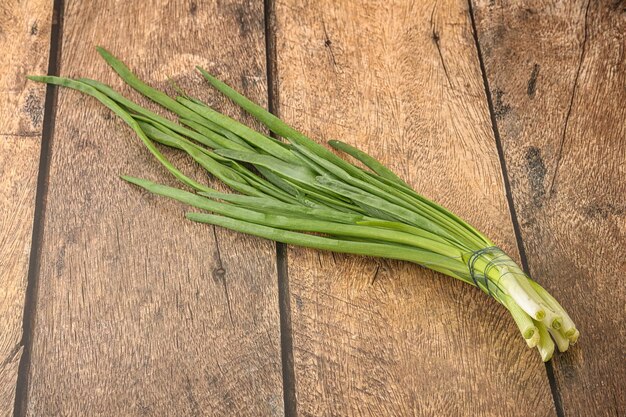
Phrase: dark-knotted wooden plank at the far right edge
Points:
(558, 76)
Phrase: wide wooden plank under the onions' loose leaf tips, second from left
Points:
(139, 311)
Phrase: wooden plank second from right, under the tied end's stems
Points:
(402, 81)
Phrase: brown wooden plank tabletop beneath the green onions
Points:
(510, 113)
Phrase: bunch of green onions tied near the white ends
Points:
(298, 192)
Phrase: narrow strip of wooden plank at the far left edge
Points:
(24, 47)
